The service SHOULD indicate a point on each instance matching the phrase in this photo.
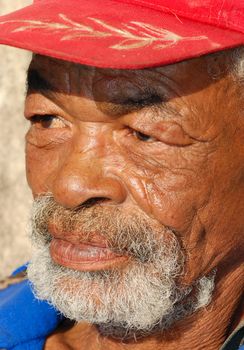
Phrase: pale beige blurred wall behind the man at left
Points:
(15, 197)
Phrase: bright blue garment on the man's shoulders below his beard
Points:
(26, 322)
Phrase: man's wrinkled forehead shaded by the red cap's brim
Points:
(71, 78)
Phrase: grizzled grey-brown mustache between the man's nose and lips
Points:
(135, 234)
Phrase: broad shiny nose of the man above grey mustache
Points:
(84, 181)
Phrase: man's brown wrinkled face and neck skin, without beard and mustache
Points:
(167, 140)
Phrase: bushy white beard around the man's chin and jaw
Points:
(136, 299)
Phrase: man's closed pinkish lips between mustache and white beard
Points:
(85, 256)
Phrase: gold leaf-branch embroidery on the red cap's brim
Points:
(134, 34)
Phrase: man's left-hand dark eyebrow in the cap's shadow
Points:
(36, 83)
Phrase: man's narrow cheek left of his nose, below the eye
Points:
(40, 167)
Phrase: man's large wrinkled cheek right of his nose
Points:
(170, 190)
